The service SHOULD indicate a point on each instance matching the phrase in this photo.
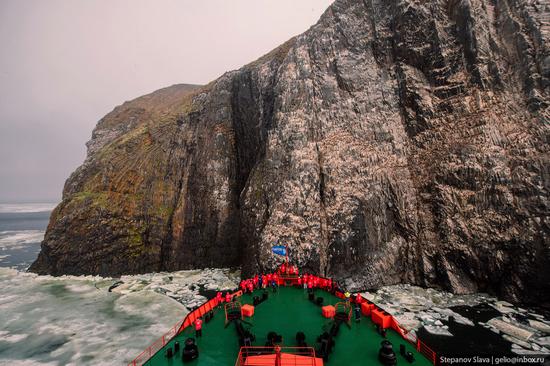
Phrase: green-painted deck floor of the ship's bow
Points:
(286, 312)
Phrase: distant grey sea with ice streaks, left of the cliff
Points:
(22, 228)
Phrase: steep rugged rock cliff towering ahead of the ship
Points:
(394, 141)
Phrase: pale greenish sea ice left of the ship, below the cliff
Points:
(75, 320)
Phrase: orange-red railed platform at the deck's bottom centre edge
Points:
(277, 356)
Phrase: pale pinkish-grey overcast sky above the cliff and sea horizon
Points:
(64, 64)
